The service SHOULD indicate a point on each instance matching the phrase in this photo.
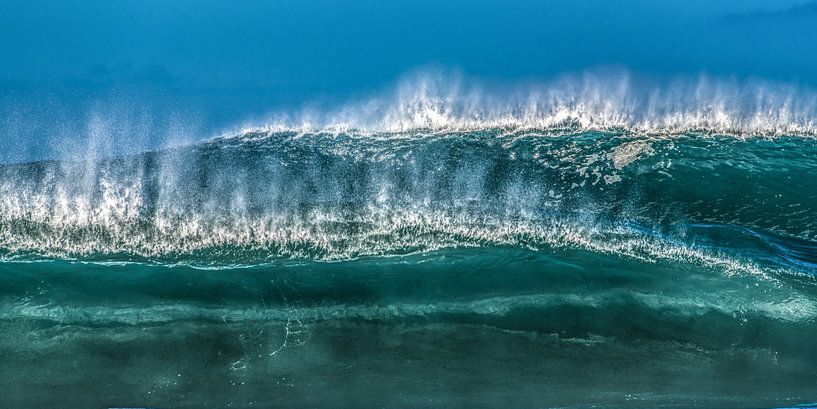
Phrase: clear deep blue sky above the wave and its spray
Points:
(205, 64)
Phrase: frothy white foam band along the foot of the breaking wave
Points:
(80, 228)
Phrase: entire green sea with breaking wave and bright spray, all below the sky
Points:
(582, 245)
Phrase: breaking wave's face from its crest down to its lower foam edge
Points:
(322, 196)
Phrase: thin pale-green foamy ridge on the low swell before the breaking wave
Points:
(694, 303)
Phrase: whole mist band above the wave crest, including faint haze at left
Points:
(422, 102)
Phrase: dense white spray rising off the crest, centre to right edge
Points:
(595, 100)
